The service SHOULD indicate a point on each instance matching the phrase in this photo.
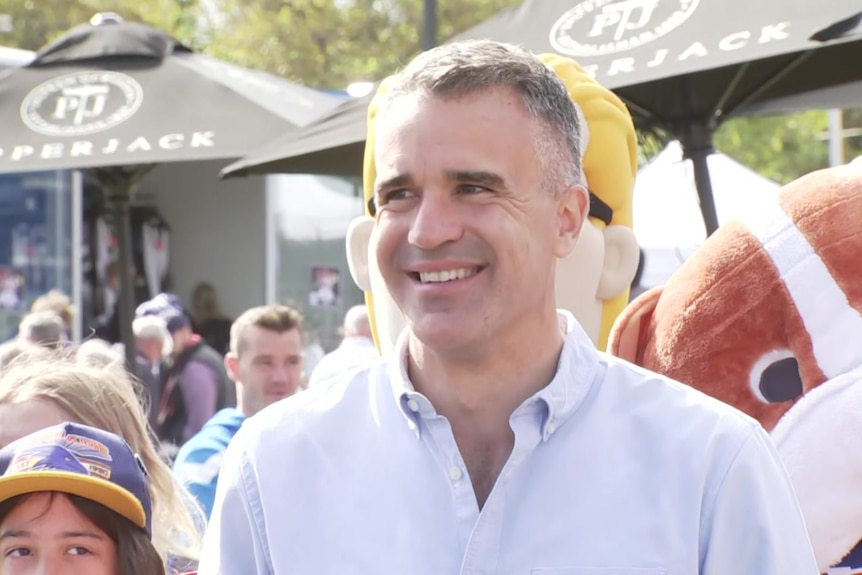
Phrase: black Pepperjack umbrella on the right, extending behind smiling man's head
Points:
(680, 65)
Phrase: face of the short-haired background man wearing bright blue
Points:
(268, 367)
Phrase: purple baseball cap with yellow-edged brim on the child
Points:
(79, 460)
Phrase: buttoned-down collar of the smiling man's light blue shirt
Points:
(576, 370)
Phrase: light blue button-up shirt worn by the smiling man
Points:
(615, 471)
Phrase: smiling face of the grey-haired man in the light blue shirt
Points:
(466, 237)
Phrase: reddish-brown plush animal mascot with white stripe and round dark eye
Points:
(767, 316)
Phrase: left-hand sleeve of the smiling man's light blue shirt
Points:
(235, 541)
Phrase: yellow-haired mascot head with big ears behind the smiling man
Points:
(592, 282)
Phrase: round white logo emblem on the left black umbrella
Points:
(81, 103)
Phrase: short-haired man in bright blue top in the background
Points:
(265, 362)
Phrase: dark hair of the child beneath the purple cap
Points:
(135, 552)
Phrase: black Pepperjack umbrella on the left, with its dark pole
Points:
(120, 97)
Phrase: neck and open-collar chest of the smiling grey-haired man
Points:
(477, 396)
